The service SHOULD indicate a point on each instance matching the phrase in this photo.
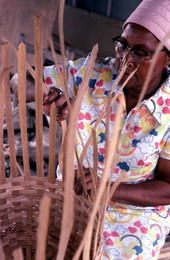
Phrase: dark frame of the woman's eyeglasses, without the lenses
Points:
(145, 53)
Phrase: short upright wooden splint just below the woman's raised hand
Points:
(52, 145)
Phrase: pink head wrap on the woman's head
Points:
(154, 15)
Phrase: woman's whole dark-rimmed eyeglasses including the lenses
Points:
(137, 54)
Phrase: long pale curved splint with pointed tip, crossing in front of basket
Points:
(67, 223)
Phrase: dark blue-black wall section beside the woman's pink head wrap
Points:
(87, 22)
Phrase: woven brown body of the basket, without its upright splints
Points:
(19, 211)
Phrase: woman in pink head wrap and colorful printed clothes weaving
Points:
(138, 216)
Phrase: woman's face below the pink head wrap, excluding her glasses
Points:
(135, 36)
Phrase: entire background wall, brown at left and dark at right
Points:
(86, 22)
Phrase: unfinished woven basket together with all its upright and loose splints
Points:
(41, 217)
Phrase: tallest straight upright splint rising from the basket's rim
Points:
(38, 95)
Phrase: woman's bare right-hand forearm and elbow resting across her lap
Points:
(150, 193)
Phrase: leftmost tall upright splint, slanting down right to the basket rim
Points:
(10, 127)
